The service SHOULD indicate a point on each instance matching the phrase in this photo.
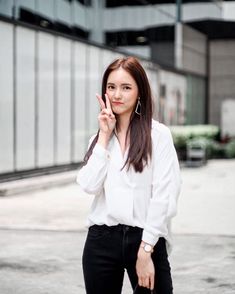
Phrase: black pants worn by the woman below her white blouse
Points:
(109, 251)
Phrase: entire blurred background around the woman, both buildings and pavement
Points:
(52, 57)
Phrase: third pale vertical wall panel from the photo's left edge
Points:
(45, 79)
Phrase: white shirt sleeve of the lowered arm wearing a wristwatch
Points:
(166, 184)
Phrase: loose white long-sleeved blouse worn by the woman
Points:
(147, 200)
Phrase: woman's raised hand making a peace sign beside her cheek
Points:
(107, 120)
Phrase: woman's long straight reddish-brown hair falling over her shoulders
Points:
(140, 150)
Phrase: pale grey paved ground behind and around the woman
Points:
(42, 235)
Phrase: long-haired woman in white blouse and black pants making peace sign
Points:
(132, 169)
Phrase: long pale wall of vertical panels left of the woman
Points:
(48, 108)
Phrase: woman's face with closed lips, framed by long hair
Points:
(122, 91)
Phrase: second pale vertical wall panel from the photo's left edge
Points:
(25, 98)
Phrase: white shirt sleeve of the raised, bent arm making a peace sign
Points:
(92, 175)
